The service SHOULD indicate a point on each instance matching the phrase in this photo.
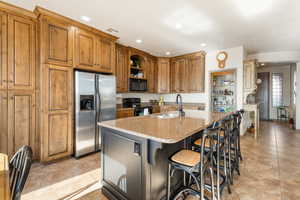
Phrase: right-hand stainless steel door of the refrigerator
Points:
(106, 101)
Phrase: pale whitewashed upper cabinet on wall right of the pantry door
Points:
(250, 75)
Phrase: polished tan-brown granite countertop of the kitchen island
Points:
(168, 130)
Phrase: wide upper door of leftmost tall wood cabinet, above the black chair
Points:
(21, 53)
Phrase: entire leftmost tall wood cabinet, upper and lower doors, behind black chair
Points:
(17, 80)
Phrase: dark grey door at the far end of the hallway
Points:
(263, 95)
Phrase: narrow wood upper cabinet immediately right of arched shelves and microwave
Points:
(151, 74)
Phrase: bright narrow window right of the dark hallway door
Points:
(277, 89)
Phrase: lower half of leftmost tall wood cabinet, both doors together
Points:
(17, 121)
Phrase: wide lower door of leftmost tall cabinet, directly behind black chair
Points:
(21, 121)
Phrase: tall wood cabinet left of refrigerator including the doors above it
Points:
(65, 45)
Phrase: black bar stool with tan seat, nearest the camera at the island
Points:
(196, 165)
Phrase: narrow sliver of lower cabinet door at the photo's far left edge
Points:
(3, 122)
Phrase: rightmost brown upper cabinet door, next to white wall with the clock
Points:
(196, 74)
